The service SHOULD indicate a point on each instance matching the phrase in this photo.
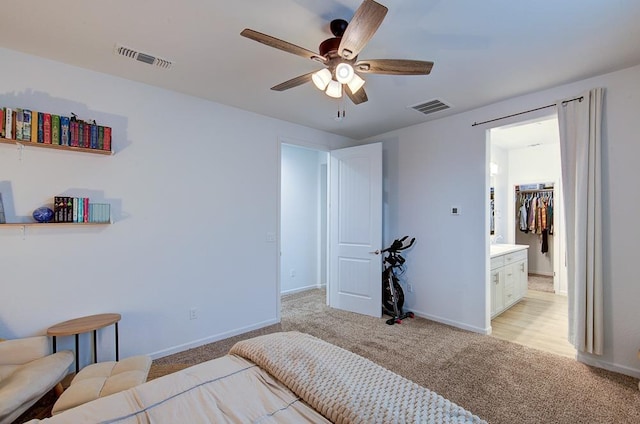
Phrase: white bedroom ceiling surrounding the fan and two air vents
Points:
(484, 51)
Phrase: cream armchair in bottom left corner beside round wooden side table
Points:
(28, 371)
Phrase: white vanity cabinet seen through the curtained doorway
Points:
(508, 279)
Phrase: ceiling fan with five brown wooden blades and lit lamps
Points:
(340, 55)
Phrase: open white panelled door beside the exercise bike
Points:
(355, 229)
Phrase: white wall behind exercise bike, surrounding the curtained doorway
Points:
(431, 166)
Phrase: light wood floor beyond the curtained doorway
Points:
(539, 321)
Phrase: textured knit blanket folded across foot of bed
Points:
(346, 387)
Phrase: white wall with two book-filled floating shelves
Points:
(194, 189)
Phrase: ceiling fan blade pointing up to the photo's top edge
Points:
(363, 25)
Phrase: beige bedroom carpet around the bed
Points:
(499, 381)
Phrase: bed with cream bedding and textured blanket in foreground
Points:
(287, 377)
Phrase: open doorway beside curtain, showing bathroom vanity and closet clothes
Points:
(525, 171)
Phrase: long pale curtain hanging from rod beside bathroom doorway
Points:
(580, 122)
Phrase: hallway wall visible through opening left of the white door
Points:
(301, 226)
